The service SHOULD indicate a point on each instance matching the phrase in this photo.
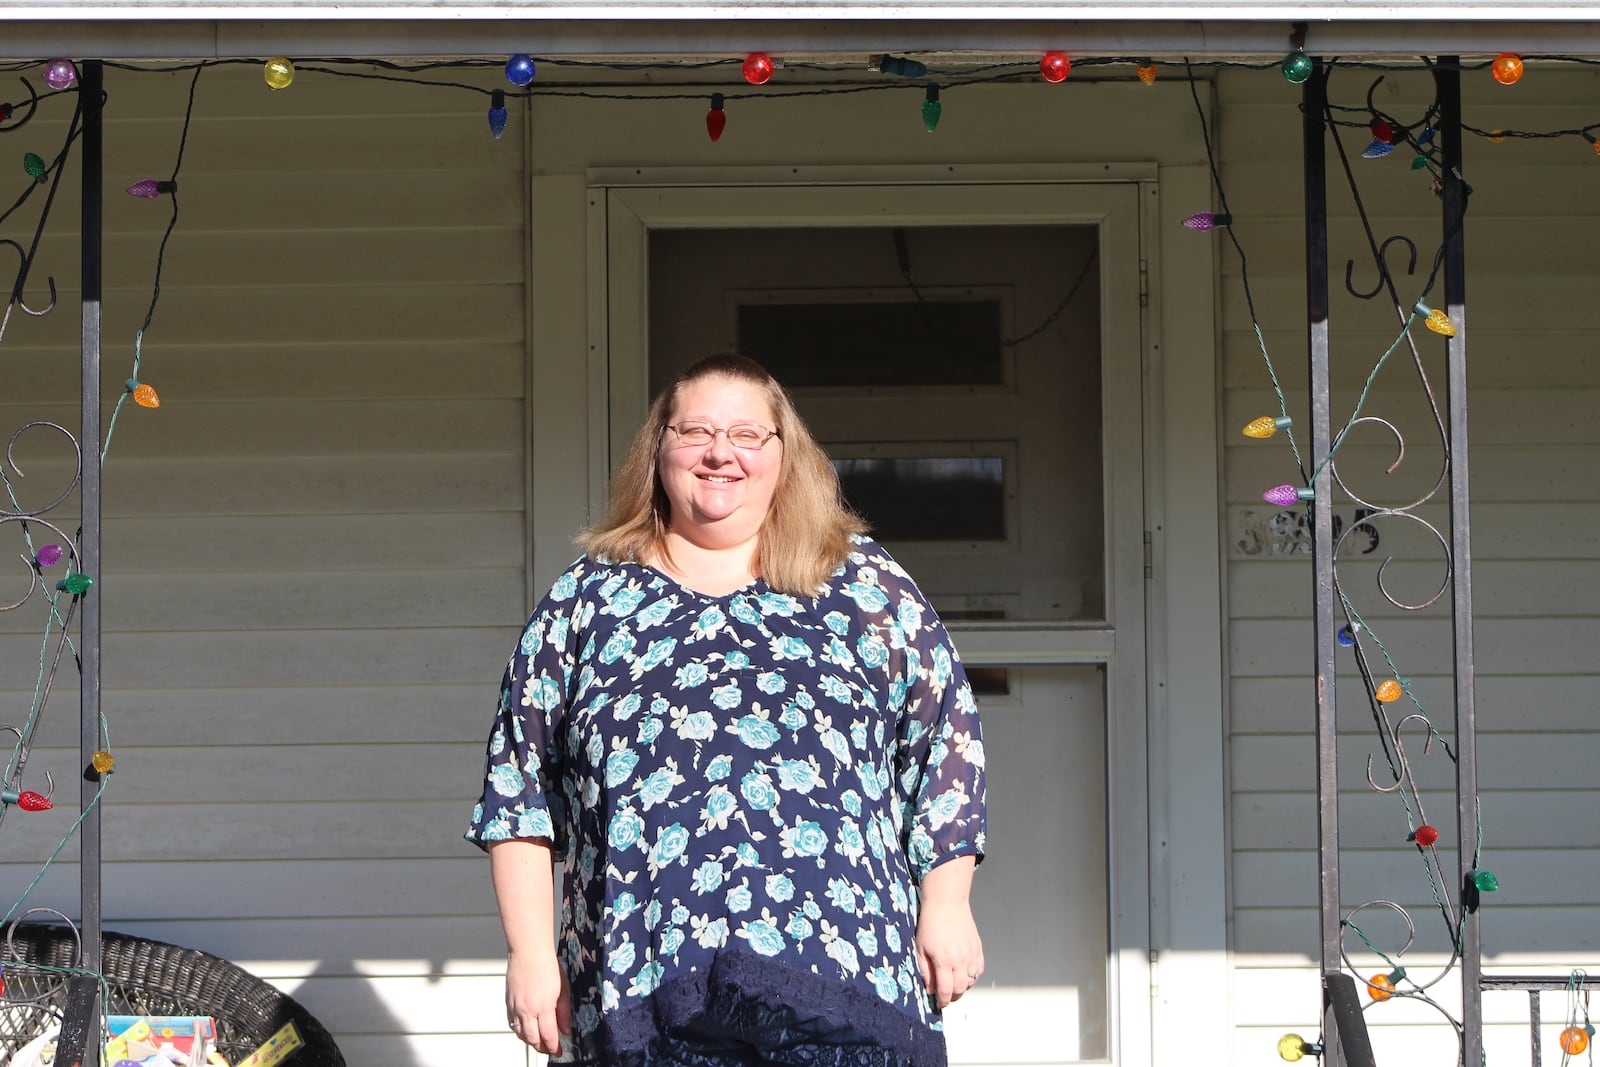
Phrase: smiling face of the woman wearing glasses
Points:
(719, 494)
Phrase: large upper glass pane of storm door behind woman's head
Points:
(953, 374)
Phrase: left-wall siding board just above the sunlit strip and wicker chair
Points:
(423, 892)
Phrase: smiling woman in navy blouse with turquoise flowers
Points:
(746, 881)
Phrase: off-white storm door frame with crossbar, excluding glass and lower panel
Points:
(620, 314)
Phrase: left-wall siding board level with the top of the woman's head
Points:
(287, 369)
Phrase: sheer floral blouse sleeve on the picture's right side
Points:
(938, 751)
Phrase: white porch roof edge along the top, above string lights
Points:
(167, 30)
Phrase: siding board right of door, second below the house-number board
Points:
(1506, 647)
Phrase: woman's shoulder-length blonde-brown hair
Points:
(807, 532)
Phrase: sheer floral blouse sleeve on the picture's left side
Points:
(522, 783)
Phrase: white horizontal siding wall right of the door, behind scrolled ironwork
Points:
(1535, 441)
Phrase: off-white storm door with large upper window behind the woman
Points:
(970, 359)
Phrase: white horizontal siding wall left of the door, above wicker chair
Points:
(316, 549)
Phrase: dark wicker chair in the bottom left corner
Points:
(153, 978)
